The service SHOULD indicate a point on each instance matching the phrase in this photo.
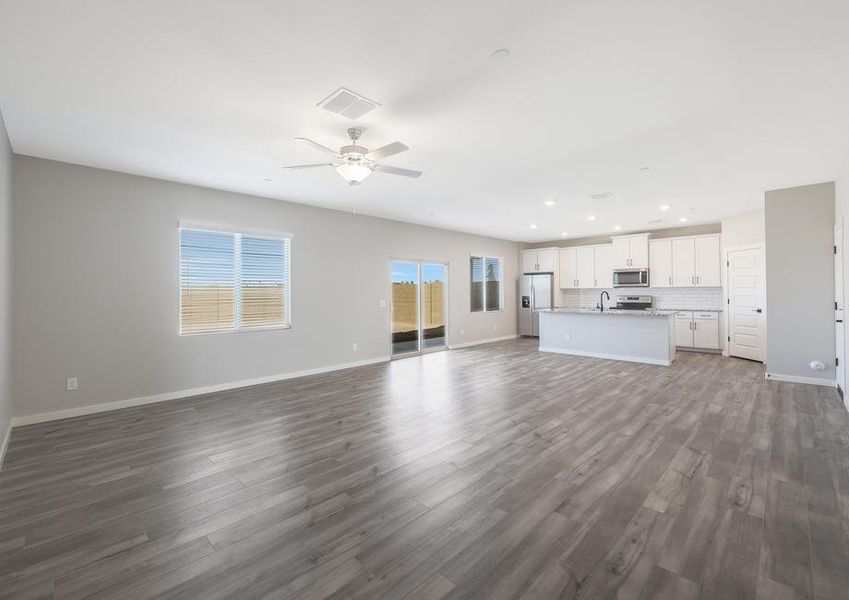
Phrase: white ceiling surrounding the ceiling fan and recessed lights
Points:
(722, 99)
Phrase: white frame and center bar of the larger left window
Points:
(287, 239)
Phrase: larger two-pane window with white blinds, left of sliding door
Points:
(233, 281)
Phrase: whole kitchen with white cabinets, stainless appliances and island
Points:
(639, 297)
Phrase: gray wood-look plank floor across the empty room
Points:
(491, 472)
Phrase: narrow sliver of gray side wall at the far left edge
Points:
(5, 282)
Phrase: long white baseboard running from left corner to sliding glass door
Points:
(176, 395)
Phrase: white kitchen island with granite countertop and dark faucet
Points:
(645, 336)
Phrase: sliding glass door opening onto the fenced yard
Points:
(419, 306)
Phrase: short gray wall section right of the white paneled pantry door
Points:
(799, 228)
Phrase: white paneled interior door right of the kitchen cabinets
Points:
(746, 310)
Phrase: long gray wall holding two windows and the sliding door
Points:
(95, 287)
